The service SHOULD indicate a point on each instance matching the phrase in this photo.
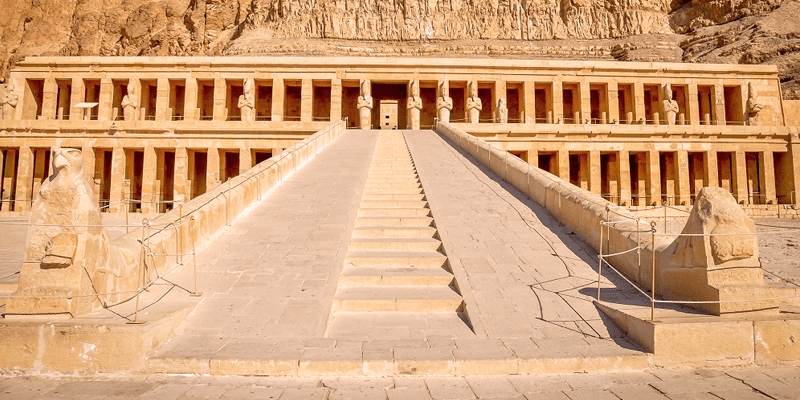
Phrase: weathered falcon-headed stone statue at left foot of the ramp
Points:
(69, 255)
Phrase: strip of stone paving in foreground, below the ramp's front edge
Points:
(727, 384)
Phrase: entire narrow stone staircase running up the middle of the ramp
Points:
(396, 268)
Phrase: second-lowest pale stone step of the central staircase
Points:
(394, 276)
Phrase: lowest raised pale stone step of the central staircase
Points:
(399, 298)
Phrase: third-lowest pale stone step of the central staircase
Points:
(403, 259)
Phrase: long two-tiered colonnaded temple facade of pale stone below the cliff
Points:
(160, 131)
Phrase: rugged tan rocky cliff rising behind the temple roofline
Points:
(737, 31)
